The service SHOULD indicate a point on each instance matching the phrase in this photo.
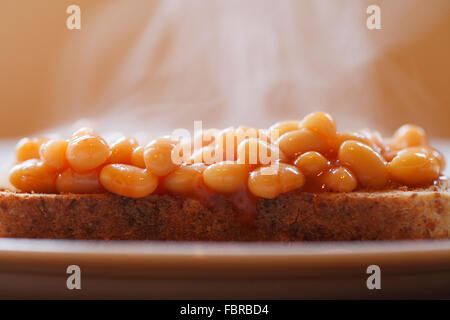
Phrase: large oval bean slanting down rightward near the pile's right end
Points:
(368, 165)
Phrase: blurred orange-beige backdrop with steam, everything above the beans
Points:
(155, 65)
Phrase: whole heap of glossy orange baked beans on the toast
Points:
(309, 154)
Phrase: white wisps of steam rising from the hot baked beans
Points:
(144, 68)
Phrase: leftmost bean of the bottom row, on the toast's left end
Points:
(33, 175)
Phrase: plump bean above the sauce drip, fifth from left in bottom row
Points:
(226, 176)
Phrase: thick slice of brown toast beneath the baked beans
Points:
(295, 216)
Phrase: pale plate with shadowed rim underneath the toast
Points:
(167, 270)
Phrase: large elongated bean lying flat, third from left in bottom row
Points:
(128, 181)
